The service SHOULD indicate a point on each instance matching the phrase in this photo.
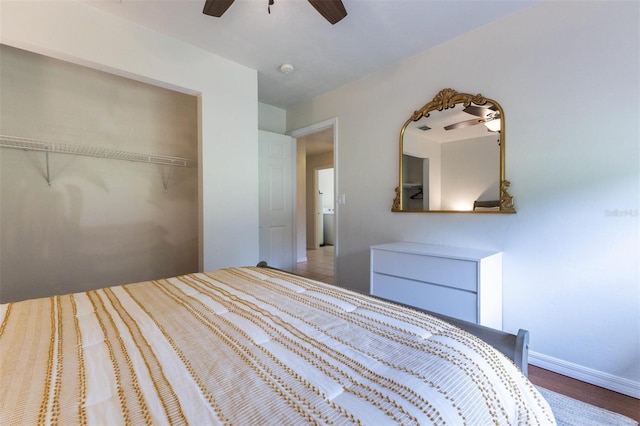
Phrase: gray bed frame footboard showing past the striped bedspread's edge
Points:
(514, 346)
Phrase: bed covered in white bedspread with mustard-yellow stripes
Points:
(249, 346)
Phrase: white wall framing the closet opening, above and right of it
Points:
(228, 106)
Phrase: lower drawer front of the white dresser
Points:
(443, 300)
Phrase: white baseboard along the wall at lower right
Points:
(585, 374)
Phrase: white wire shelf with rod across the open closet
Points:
(90, 151)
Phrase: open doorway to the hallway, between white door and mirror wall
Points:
(315, 206)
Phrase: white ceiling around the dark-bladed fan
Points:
(374, 35)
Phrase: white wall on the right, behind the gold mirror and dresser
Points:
(566, 74)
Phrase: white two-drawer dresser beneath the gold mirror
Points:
(459, 282)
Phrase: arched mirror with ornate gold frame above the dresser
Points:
(452, 157)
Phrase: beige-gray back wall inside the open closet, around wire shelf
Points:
(102, 221)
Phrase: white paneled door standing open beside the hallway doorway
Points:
(276, 174)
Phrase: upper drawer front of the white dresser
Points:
(455, 273)
